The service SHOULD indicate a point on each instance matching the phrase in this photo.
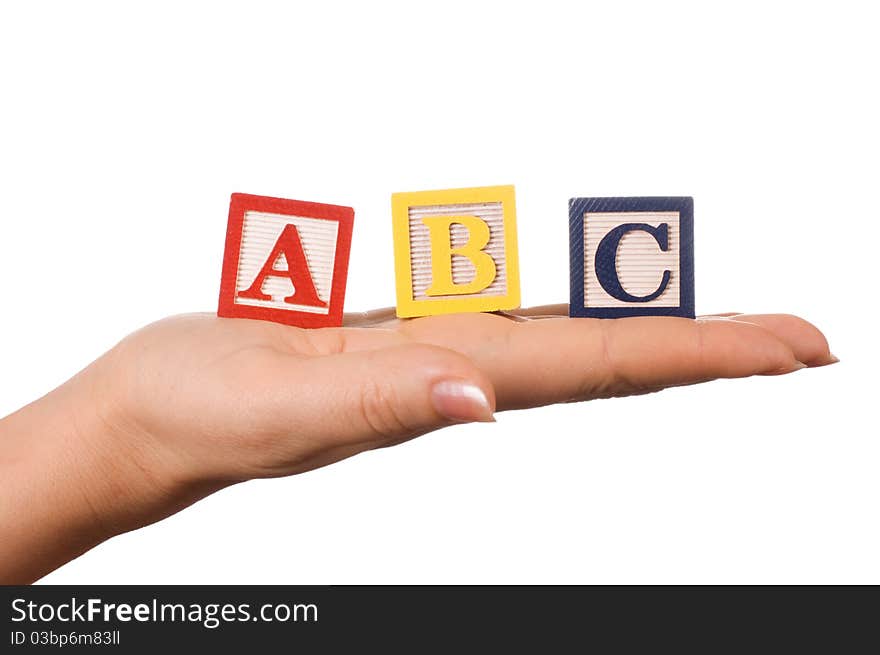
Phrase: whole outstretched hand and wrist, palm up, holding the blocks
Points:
(194, 403)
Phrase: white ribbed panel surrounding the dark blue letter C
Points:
(640, 262)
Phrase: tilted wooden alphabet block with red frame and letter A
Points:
(285, 261)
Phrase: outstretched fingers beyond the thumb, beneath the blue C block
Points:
(541, 362)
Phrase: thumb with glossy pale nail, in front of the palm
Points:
(347, 402)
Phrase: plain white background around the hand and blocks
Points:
(124, 128)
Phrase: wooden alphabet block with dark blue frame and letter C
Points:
(632, 257)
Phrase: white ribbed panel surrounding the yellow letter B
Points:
(462, 268)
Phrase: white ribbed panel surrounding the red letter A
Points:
(260, 232)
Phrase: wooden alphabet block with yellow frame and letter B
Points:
(455, 251)
